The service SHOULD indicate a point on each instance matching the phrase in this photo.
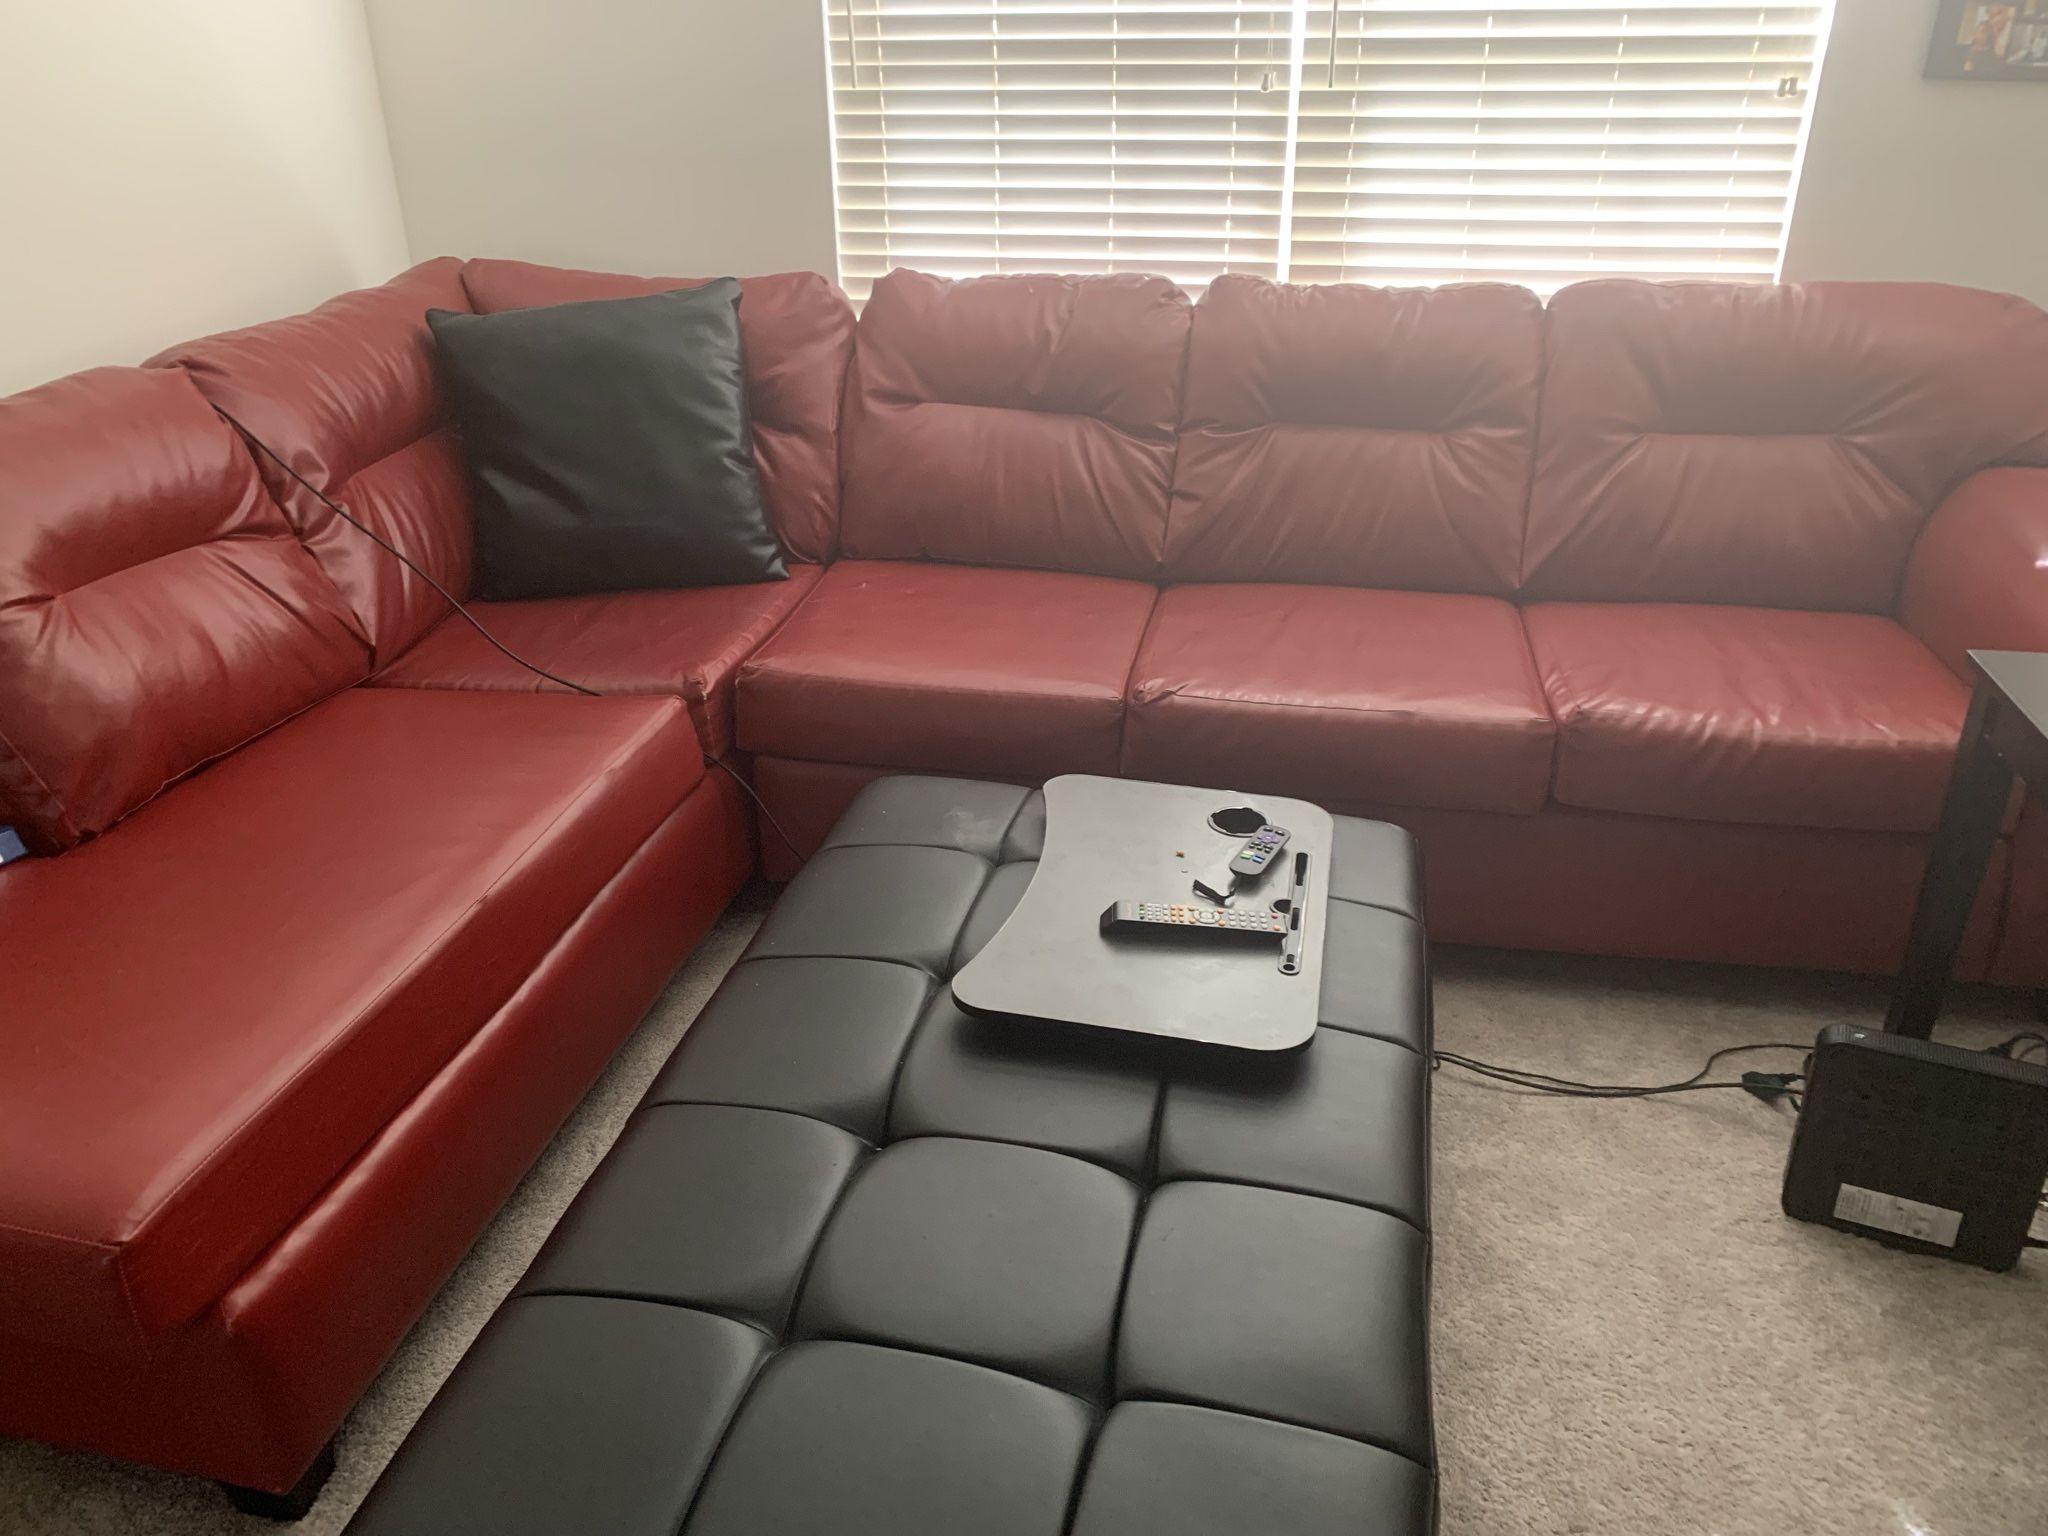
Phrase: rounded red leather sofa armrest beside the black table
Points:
(1979, 574)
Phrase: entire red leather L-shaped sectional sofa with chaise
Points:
(1648, 611)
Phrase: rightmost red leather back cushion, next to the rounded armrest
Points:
(1768, 445)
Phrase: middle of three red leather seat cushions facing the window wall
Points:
(1340, 695)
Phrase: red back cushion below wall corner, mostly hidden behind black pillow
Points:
(798, 333)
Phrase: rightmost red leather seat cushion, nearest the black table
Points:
(1766, 716)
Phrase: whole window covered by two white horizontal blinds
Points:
(1367, 140)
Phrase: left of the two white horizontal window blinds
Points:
(1076, 136)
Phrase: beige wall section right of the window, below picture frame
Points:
(1920, 179)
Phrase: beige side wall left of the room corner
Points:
(177, 167)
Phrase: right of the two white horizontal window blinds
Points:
(1545, 142)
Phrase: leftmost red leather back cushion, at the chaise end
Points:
(155, 605)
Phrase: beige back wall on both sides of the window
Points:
(691, 136)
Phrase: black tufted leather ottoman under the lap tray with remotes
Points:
(865, 1267)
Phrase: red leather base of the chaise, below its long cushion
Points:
(257, 1383)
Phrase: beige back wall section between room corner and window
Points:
(658, 136)
